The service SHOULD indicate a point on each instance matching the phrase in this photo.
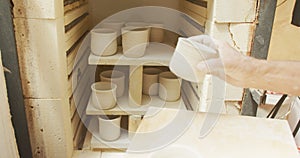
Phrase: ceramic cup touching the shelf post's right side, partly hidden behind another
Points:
(150, 81)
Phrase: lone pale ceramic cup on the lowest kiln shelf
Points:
(109, 127)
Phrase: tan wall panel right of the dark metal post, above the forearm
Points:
(284, 43)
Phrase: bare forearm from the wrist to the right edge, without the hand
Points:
(276, 76)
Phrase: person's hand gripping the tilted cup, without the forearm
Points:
(230, 65)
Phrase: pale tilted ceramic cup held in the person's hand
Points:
(186, 57)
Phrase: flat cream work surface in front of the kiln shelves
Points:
(231, 137)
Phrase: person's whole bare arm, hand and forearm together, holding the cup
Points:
(243, 71)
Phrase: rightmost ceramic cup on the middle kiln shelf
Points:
(169, 87)
